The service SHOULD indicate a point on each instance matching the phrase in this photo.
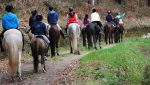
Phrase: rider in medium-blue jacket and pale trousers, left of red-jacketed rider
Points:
(52, 19)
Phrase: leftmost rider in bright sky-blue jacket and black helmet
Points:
(9, 21)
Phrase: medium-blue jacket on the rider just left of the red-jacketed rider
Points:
(52, 17)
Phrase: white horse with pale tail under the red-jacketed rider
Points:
(74, 36)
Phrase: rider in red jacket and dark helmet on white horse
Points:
(71, 17)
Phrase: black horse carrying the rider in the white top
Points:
(93, 34)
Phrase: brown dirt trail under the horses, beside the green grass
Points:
(57, 70)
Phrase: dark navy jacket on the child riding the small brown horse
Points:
(39, 28)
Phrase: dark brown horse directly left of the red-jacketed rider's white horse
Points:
(54, 37)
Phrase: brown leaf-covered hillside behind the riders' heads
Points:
(137, 11)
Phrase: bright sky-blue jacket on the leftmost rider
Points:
(10, 21)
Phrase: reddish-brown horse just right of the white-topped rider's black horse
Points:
(109, 33)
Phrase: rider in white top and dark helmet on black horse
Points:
(95, 17)
